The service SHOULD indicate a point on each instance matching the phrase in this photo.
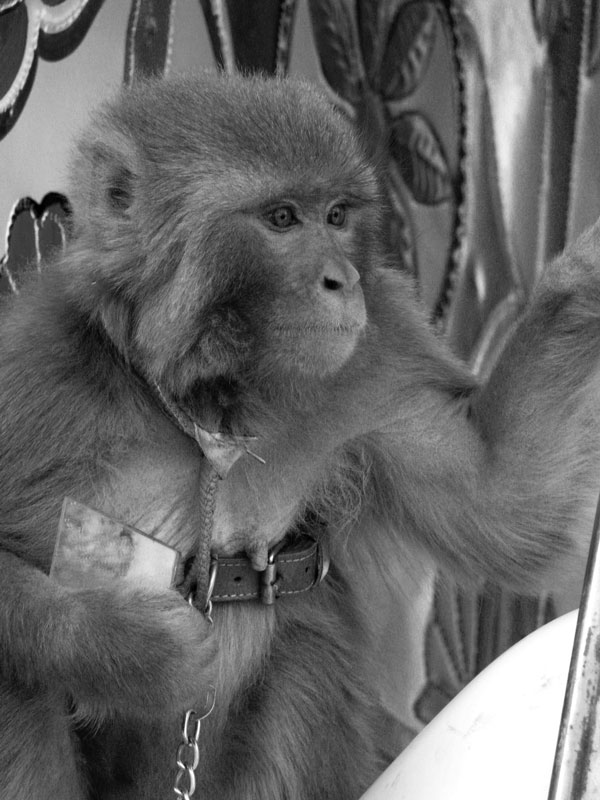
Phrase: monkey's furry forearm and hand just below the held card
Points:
(120, 651)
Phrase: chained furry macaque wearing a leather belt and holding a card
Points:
(229, 248)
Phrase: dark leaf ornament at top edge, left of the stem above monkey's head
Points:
(337, 46)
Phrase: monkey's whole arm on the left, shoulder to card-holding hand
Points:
(66, 416)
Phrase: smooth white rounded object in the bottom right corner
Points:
(497, 739)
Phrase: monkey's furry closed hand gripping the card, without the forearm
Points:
(141, 653)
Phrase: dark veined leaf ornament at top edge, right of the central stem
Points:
(408, 49)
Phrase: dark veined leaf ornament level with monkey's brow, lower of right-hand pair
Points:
(420, 158)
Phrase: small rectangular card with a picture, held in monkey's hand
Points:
(95, 550)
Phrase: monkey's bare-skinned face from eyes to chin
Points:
(317, 312)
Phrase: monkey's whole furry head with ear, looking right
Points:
(225, 230)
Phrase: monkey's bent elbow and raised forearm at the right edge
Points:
(504, 483)
